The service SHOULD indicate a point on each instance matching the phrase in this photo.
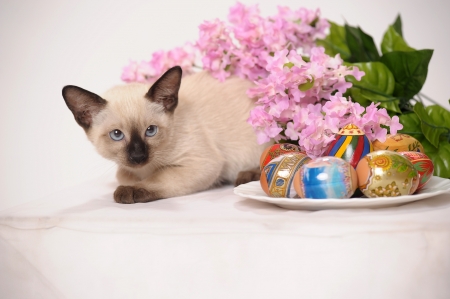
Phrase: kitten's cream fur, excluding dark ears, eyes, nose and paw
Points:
(205, 142)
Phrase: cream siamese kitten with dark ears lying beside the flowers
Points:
(172, 138)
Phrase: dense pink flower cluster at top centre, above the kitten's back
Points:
(241, 48)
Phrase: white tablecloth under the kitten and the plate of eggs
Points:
(80, 244)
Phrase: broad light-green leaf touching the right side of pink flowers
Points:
(377, 85)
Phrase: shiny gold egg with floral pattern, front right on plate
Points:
(386, 174)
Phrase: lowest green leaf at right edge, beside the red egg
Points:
(440, 156)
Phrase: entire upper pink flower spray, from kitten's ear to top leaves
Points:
(239, 47)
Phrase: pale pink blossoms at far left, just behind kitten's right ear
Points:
(161, 61)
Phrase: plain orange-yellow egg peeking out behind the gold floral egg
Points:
(399, 143)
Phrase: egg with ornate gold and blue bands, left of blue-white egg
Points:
(277, 176)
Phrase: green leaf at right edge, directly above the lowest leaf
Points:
(435, 121)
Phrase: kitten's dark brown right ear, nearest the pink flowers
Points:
(165, 90)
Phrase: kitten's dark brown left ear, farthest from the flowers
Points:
(84, 104)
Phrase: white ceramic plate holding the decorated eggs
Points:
(253, 190)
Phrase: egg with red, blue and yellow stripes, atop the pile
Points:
(351, 144)
